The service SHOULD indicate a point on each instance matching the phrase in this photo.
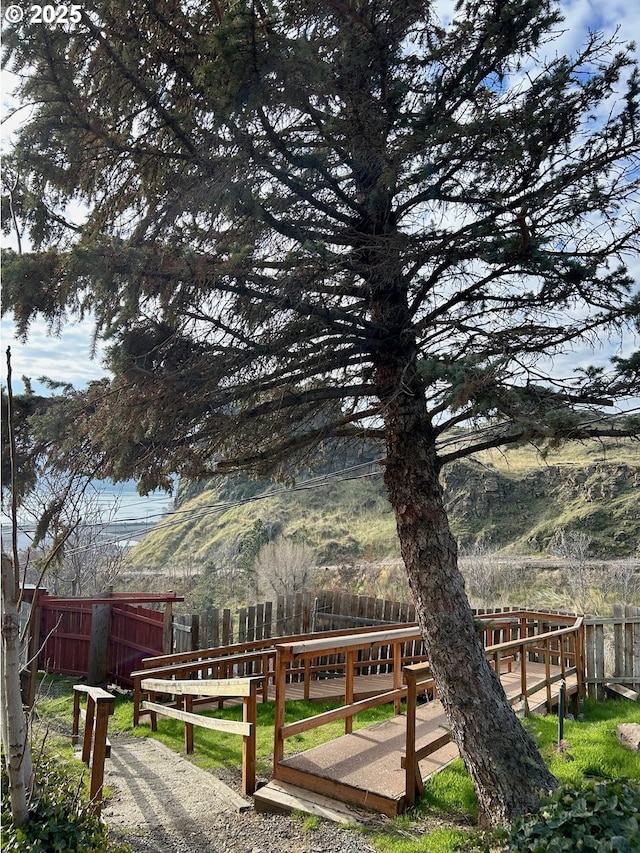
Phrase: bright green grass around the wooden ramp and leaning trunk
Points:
(444, 820)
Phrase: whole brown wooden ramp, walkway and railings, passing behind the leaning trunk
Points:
(380, 767)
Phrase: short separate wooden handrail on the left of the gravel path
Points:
(100, 706)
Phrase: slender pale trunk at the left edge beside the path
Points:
(14, 730)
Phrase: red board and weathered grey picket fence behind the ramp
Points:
(63, 629)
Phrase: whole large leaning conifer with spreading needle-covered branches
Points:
(301, 221)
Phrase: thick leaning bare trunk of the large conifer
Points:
(506, 767)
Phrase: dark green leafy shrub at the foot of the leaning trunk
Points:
(602, 817)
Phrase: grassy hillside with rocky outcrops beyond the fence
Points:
(516, 500)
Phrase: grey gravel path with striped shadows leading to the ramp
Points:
(161, 803)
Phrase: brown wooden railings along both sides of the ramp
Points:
(518, 636)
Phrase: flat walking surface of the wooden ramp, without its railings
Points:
(365, 768)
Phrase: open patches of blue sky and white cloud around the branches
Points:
(67, 356)
